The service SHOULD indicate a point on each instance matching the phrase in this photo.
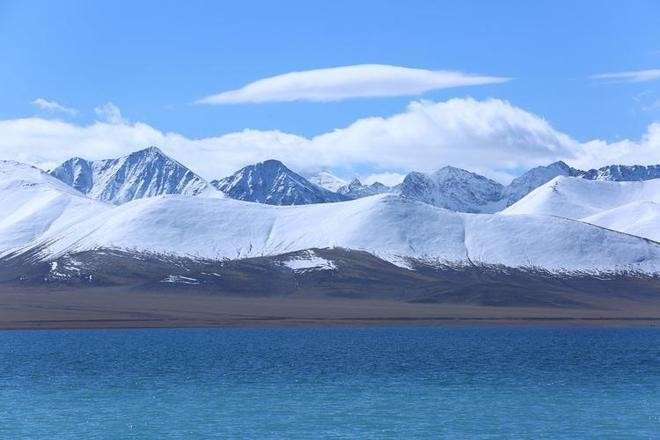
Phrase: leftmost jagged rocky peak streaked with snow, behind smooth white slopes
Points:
(144, 173)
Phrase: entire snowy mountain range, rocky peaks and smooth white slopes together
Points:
(552, 218)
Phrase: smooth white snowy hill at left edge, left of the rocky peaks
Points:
(36, 204)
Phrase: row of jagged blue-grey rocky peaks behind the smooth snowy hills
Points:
(149, 172)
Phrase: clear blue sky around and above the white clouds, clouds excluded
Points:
(153, 59)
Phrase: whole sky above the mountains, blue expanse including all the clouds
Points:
(362, 88)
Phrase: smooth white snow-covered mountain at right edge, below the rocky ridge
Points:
(631, 207)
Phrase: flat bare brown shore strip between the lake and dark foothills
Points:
(26, 310)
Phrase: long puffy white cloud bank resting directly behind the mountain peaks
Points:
(492, 137)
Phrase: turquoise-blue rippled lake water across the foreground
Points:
(331, 383)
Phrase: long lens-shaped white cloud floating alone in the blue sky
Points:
(339, 83)
